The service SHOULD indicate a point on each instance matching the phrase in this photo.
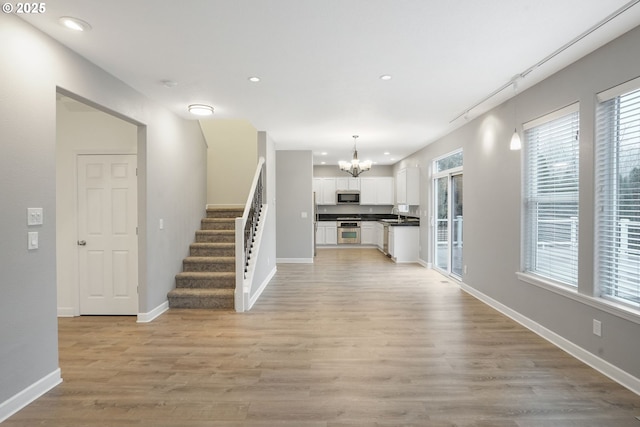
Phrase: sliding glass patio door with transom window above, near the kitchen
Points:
(449, 220)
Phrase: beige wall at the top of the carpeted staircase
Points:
(232, 157)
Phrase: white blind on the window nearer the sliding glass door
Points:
(551, 196)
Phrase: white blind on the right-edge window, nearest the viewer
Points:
(618, 194)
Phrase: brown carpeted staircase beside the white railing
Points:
(208, 278)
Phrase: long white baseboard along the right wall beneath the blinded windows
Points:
(616, 374)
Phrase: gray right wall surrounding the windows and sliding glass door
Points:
(492, 204)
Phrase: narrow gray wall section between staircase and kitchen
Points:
(294, 234)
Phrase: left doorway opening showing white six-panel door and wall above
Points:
(88, 268)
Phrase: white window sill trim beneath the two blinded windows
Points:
(618, 310)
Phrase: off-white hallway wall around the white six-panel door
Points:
(80, 129)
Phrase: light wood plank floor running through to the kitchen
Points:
(353, 340)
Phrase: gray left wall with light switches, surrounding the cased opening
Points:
(171, 155)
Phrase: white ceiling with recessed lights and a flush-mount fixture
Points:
(320, 60)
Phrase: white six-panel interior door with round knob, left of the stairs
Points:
(107, 238)
